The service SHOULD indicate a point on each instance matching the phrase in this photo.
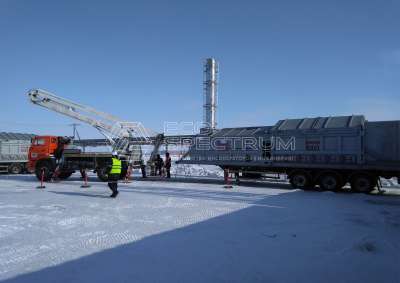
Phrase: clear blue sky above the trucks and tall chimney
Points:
(142, 60)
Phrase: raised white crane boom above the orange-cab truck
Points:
(116, 131)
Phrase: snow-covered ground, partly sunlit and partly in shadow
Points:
(195, 232)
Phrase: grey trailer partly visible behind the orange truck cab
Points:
(14, 152)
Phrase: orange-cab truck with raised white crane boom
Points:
(55, 156)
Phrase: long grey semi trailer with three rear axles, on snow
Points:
(325, 151)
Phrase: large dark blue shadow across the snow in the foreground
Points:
(282, 239)
